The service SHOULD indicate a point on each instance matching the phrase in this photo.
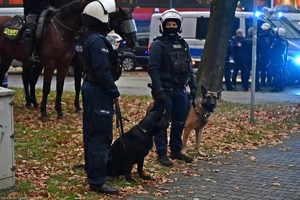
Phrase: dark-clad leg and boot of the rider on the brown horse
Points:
(32, 11)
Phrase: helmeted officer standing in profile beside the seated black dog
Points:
(98, 93)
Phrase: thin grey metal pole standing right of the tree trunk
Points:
(253, 74)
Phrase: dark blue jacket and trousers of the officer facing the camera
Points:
(170, 71)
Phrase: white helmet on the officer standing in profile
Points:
(100, 9)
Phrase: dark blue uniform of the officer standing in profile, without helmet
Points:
(98, 92)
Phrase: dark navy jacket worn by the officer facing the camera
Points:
(167, 55)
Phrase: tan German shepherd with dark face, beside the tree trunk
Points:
(198, 116)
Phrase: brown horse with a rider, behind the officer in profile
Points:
(55, 48)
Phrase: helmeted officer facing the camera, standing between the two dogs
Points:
(170, 71)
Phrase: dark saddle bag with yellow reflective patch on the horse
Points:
(13, 29)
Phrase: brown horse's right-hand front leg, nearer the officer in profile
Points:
(60, 79)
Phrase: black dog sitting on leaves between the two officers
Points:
(132, 147)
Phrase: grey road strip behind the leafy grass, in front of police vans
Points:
(135, 85)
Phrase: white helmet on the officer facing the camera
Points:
(170, 15)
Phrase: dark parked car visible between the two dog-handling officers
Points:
(135, 57)
